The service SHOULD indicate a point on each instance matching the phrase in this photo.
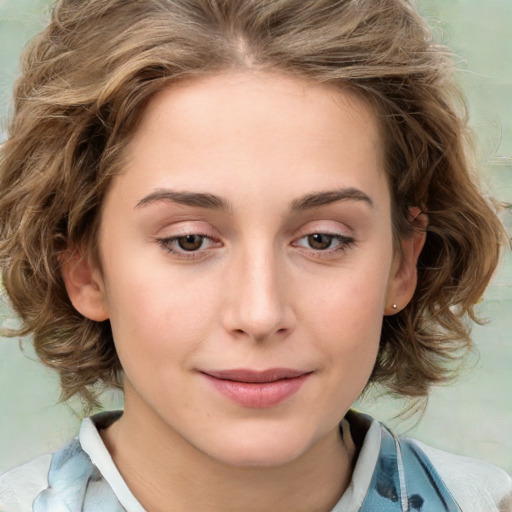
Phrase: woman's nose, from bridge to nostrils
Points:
(257, 298)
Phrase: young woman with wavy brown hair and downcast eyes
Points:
(243, 213)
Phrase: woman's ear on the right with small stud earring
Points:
(404, 274)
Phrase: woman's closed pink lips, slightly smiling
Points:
(257, 389)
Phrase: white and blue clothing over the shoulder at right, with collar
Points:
(408, 471)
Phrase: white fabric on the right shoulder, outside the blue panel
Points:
(475, 484)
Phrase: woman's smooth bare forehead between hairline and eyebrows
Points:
(242, 133)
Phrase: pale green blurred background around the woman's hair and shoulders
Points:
(473, 417)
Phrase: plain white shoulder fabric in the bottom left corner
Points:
(20, 486)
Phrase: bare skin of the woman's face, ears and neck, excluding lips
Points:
(255, 290)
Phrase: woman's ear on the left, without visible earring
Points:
(84, 284)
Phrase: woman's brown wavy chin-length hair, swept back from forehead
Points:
(86, 79)
